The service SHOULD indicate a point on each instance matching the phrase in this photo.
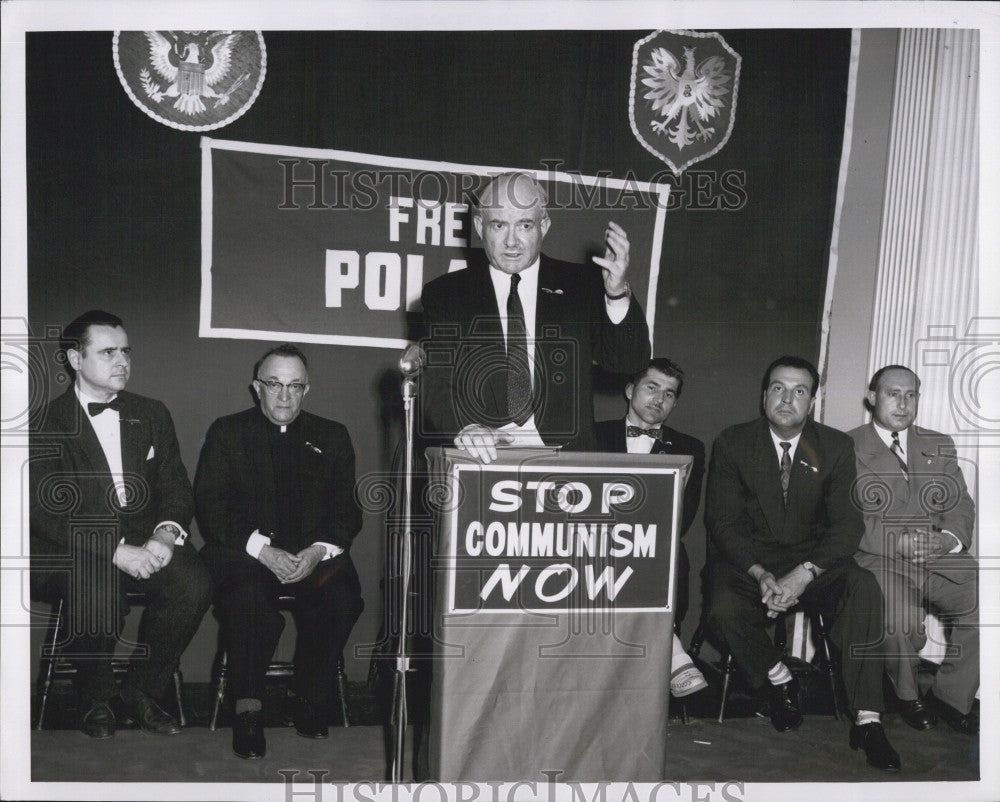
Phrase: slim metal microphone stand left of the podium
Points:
(399, 705)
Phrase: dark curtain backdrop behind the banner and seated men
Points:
(114, 210)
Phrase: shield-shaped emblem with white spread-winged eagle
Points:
(682, 98)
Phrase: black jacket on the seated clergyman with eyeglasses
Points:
(235, 491)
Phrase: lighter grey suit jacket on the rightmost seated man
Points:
(934, 496)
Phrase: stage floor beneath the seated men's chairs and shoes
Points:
(744, 748)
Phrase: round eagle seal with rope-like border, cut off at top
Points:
(191, 80)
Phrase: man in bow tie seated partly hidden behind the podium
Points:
(652, 394)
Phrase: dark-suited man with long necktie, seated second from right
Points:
(783, 529)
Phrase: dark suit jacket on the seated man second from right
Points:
(746, 519)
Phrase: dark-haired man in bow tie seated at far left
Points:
(110, 506)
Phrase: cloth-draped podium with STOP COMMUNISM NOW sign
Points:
(554, 592)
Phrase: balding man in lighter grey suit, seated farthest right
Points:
(919, 522)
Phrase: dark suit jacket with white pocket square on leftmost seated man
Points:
(71, 481)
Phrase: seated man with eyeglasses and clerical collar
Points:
(274, 497)
